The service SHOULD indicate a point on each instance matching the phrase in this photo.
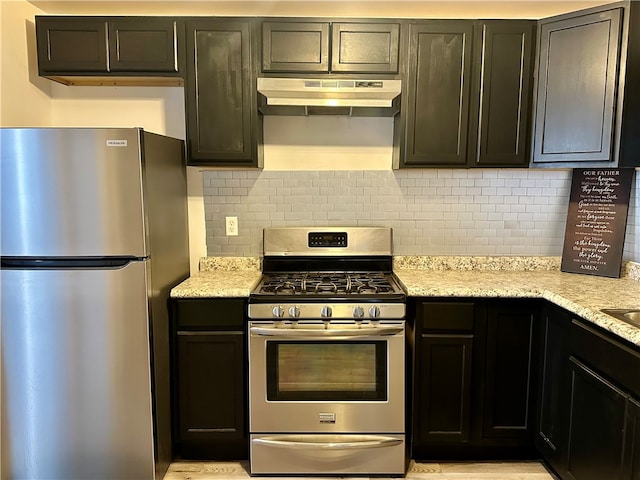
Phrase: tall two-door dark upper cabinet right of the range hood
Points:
(469, 93)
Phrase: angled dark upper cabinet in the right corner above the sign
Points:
(587, 100)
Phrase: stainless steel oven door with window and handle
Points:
(339, 378)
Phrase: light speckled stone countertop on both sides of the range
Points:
(524, 277)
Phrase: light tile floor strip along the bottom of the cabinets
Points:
(417, 471)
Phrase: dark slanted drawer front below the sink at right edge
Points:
(615, 360)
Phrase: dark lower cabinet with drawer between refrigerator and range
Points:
(208, 377)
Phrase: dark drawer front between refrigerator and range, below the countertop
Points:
(228, 313)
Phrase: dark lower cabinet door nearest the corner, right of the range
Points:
(510, 368)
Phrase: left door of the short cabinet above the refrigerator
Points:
(71, 44)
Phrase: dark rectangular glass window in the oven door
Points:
(326, 370)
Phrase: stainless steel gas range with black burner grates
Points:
(327, 355)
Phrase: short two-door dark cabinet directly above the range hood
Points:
(324, 47)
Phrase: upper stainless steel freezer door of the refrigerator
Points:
(71, 192)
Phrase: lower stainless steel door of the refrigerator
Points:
(76, 374)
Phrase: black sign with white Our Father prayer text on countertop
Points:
(596, 221)
